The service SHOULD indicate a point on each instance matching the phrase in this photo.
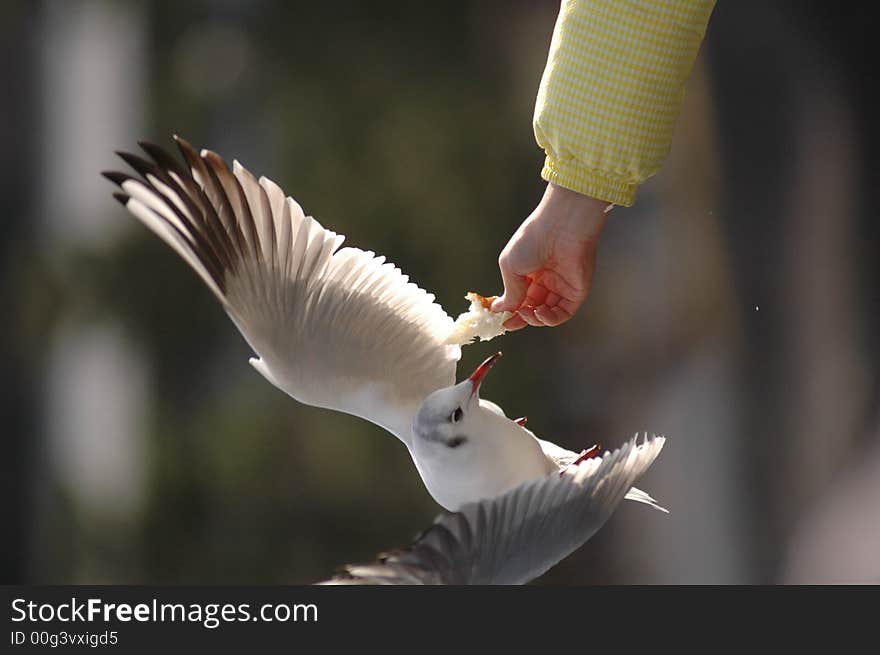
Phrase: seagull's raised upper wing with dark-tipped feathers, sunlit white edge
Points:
(333, 327)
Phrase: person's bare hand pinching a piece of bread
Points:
(547, 266)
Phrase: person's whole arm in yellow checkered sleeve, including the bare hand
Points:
(605, 113)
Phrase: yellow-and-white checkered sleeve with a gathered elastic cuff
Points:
(612, 90)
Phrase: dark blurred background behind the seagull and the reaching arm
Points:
(735, 309)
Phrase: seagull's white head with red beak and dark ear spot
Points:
(447, 416)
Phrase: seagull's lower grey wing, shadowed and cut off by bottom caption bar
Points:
(518, 536)
